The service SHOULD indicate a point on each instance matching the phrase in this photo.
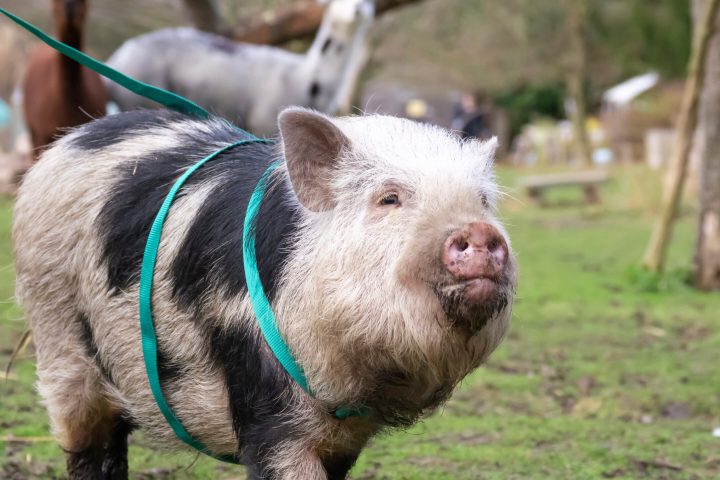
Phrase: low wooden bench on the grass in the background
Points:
(588, 181)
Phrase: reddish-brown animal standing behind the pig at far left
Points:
(58, 92)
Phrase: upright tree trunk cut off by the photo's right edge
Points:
(706, 266)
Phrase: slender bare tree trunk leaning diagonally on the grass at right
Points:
(654, 259)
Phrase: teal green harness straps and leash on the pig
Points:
(258, 298)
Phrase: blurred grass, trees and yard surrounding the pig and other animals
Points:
(607, 112)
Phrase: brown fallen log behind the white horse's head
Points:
(297, 20)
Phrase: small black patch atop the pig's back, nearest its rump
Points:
(109, 130)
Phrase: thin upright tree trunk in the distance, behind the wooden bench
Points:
(576, 78)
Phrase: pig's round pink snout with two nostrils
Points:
(476, 251)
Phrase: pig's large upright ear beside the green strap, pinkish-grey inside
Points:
(312, 146)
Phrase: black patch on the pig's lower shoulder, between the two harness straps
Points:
(259, 390)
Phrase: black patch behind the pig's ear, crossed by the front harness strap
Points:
(211, 256)
